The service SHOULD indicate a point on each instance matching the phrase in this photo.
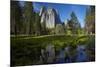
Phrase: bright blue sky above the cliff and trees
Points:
(64, 10)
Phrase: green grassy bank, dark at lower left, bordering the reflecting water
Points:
(25, 50)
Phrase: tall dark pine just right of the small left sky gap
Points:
(28, 18)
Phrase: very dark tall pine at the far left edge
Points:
(16, 16)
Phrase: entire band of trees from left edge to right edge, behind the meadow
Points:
(24, 20)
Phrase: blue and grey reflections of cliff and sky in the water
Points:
(48, 54)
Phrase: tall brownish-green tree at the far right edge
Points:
(90, 20)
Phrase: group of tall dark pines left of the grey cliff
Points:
(24, 20)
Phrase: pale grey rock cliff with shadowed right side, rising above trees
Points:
(50, 17)
